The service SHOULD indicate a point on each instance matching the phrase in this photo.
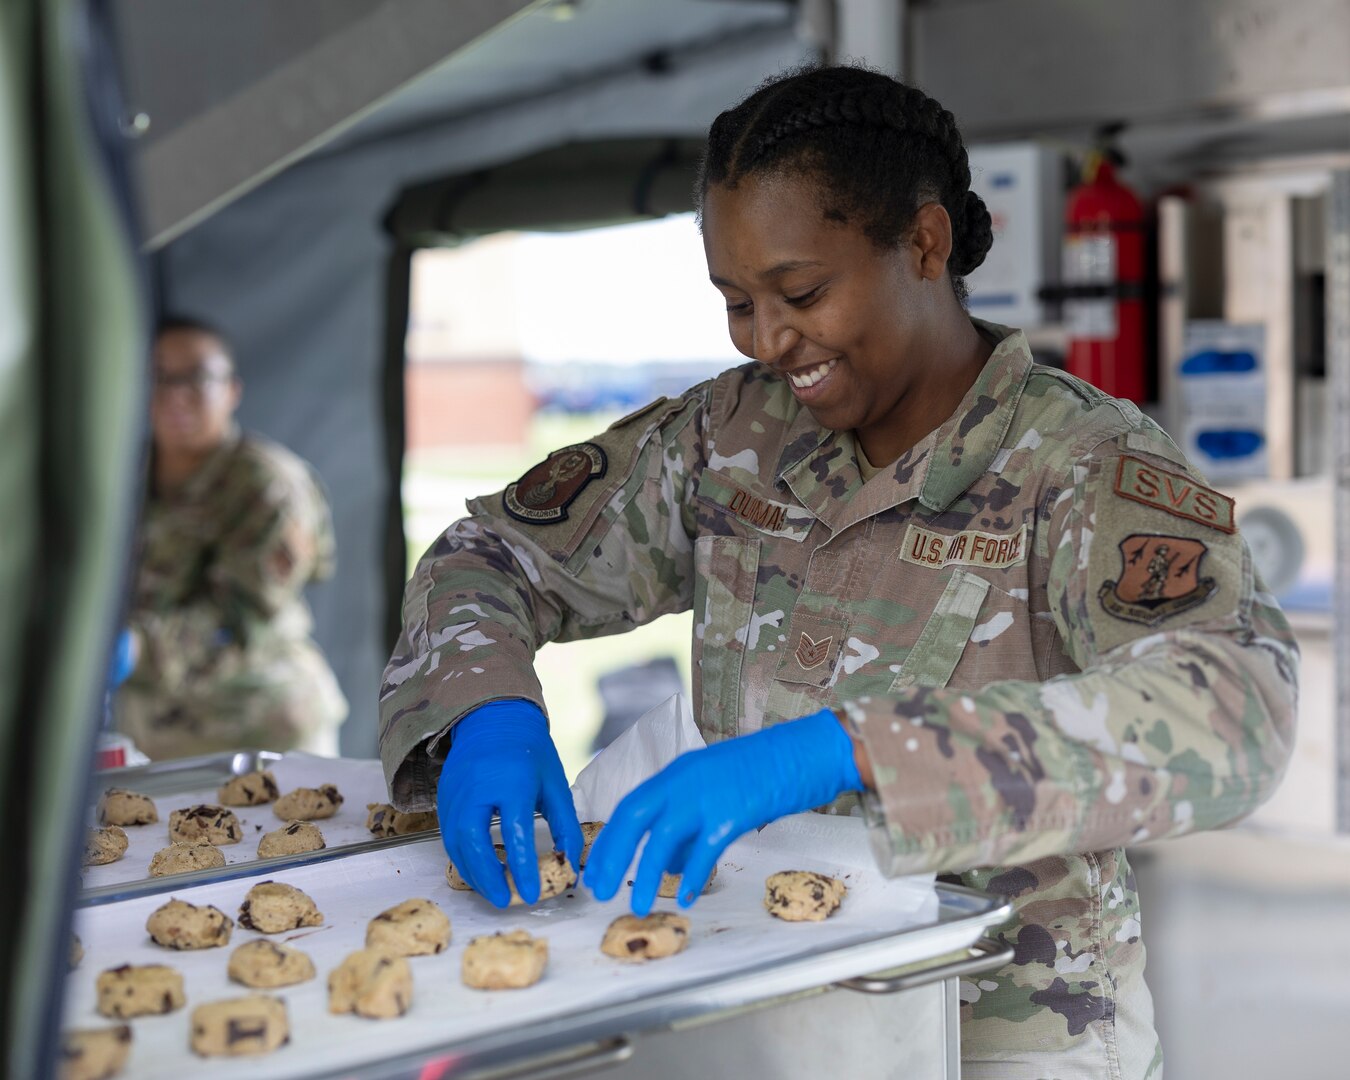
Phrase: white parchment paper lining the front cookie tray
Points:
(731, 934)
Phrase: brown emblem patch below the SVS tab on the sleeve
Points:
(1160, 578)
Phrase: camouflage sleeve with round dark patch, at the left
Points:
(593, 541)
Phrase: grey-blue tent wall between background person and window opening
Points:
(295, 275)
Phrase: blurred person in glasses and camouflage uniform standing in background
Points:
(234, 529)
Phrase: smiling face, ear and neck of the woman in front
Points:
(870, 340)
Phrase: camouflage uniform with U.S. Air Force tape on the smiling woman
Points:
(1042, 624)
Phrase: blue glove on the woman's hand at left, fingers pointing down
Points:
(503, 759)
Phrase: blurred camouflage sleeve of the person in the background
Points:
(277, 538)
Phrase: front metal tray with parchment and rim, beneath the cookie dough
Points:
(537, 1037)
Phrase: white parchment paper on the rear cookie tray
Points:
(360, 782)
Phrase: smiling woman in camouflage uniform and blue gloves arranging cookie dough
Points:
(977, 600)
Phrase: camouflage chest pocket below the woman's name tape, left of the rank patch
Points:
(726, 574)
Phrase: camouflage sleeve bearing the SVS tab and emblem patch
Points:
(1181, 719)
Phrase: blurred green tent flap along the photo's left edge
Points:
(72, 411)
